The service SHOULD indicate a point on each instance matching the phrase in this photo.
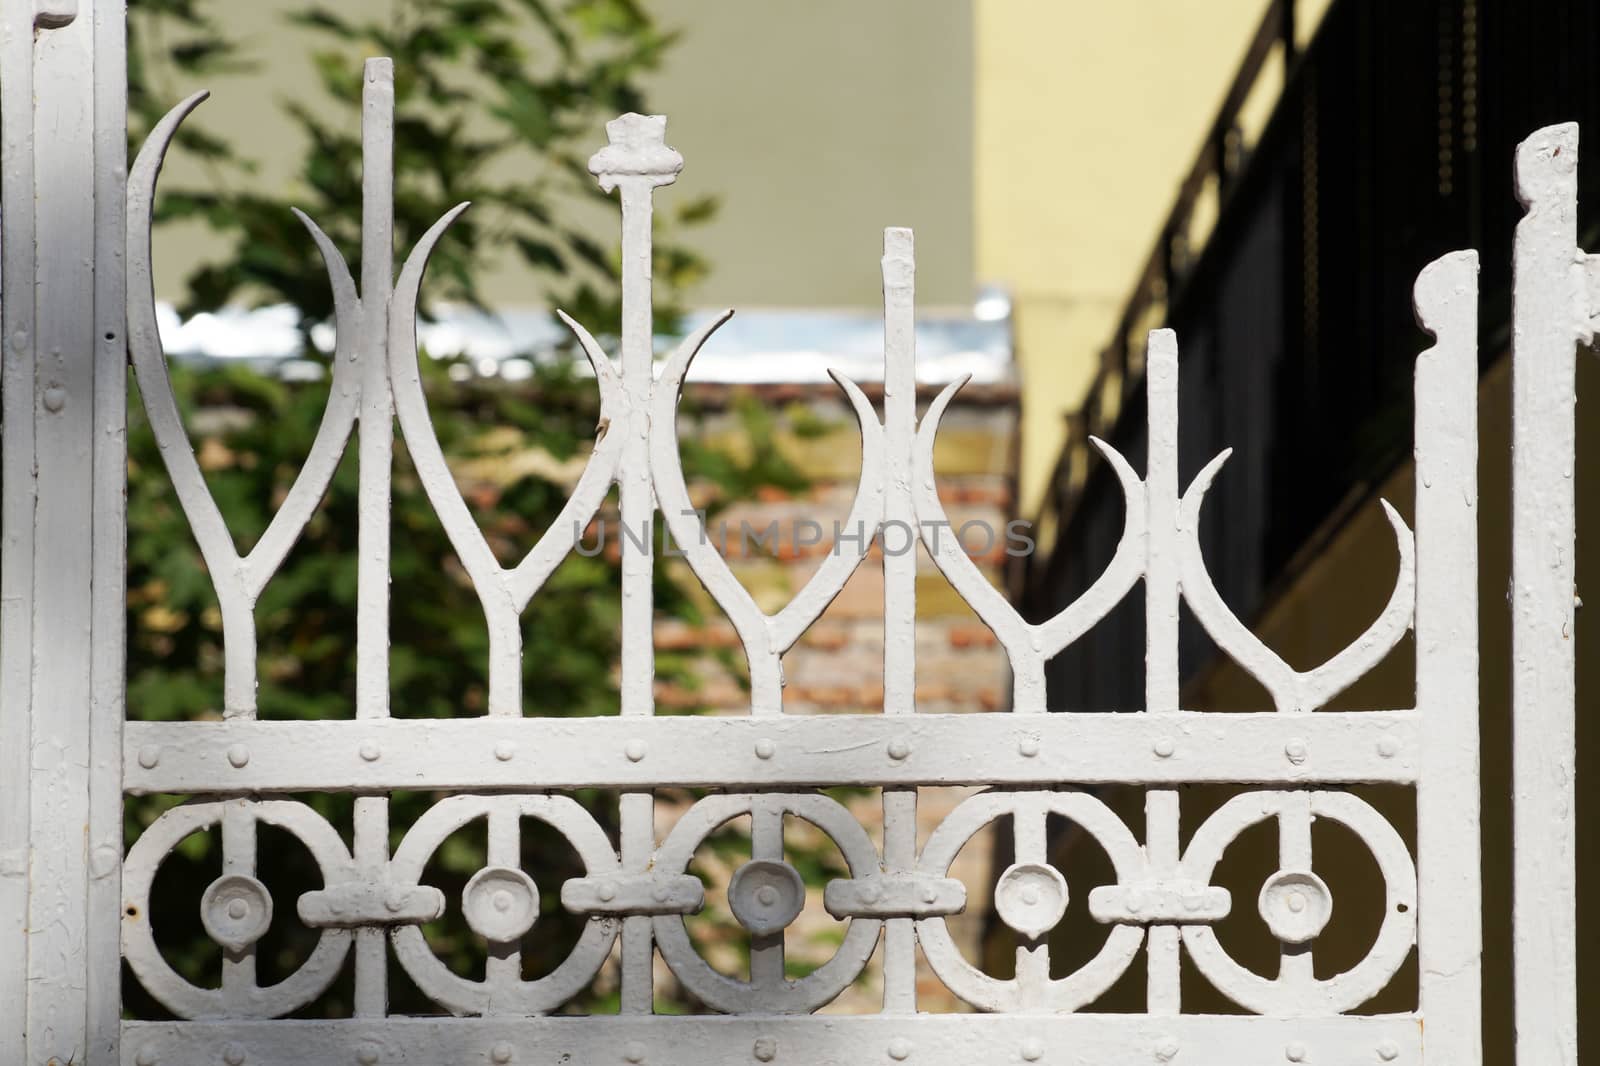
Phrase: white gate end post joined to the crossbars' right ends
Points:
(1450, 918)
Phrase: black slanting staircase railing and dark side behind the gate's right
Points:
(1390, 145)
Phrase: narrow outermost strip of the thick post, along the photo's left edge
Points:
(17, 513)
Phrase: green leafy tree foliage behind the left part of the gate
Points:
(486, 89)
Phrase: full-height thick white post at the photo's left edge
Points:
(62, 607)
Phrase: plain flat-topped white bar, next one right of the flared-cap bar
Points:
(900, 588)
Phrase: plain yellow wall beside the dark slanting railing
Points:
(1089, 118)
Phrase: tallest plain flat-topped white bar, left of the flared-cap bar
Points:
(377, 463)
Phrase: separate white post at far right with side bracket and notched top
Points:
(1550, 318)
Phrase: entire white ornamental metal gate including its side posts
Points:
(74, 907)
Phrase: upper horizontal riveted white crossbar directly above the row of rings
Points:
(476, 755)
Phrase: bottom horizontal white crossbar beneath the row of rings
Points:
(823, 1041)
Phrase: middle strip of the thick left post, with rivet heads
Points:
(65, 348)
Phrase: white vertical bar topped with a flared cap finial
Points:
(638, 161)
